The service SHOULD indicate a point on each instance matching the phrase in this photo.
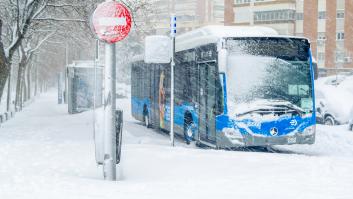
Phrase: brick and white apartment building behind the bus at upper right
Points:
(327, 23)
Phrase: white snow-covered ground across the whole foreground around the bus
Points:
(46, 153)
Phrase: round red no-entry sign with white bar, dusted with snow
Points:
(111, 21)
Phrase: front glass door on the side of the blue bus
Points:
(207, 102)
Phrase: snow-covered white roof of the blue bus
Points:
(212, 34)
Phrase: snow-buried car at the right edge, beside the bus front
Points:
(333, 100)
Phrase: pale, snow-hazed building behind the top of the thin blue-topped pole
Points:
(190, 14)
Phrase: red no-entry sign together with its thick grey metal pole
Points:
(111, 22)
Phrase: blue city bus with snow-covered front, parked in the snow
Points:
(234, 87)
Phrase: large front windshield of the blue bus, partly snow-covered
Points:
(264, 74)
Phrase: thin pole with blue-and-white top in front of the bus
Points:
(172, 65)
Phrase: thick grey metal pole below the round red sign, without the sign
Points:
(109, 164)
